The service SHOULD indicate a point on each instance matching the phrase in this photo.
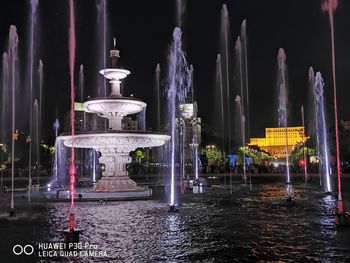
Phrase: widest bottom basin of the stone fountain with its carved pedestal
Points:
(115, 147)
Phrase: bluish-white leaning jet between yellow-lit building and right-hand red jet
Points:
(322, 132)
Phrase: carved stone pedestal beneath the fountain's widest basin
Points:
(115, 176)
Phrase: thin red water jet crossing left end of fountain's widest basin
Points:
(71, 72)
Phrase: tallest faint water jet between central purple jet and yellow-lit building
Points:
(225, 40)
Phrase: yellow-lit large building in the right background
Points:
(275, 140)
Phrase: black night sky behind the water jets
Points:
(144, 30)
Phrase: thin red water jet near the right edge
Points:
(330, 6)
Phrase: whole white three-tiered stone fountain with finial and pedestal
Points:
(115, 144)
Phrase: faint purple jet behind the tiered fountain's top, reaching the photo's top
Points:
(102, 40)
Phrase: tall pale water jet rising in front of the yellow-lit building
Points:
(282, 112)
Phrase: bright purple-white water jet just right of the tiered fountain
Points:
(178, 84)
